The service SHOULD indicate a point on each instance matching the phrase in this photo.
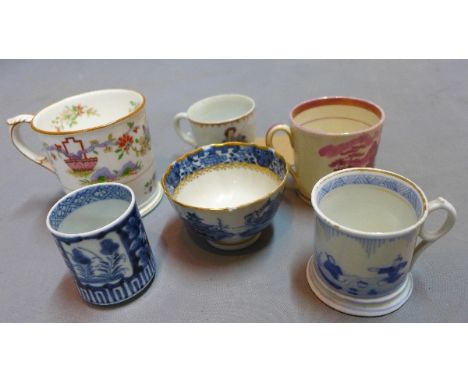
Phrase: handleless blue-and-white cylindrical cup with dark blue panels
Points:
(99, 232)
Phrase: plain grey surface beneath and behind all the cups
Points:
(425, 138)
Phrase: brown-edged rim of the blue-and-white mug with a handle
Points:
(369, 234)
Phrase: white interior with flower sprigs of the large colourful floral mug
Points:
(88, 110)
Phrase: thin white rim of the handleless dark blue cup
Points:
(96, 231)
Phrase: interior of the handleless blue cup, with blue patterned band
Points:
(90, 209)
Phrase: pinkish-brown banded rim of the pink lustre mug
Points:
(338, 100)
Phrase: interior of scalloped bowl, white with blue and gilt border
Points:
(225, 176)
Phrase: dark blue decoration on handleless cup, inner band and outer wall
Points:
(114, 264)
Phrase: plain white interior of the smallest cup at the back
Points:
(221, 109)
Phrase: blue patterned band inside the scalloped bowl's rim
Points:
(213, 155)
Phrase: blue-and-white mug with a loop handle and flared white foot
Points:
(368, 222)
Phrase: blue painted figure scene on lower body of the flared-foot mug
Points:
(385, 281)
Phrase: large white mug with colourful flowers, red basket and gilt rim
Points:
(94, 137)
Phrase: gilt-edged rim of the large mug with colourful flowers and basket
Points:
(92, 128)
